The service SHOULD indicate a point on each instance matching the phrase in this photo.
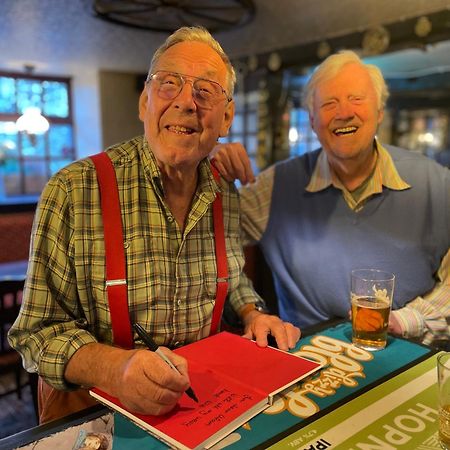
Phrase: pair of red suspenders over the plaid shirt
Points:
(116, 280)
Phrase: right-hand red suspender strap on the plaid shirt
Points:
(221, 259)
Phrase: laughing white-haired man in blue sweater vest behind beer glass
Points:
(353, 203)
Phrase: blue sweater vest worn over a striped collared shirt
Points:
(313, 240)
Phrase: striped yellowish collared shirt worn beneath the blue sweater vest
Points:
(424, 316)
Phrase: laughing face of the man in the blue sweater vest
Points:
(346, 114)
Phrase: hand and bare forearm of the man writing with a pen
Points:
(140, 379)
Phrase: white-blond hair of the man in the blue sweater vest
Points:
(331, 67)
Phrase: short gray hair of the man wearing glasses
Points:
(197, 34)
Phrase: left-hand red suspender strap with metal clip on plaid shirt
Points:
(116, 283)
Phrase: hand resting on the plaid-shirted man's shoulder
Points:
(232, 162)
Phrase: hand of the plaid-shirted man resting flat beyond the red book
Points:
(259, 325)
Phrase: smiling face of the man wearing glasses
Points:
(180, 133)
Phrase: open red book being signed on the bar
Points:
(234, 380)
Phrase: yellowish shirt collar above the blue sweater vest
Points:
(385, 174)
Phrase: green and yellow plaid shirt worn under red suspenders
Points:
(171, 273)
